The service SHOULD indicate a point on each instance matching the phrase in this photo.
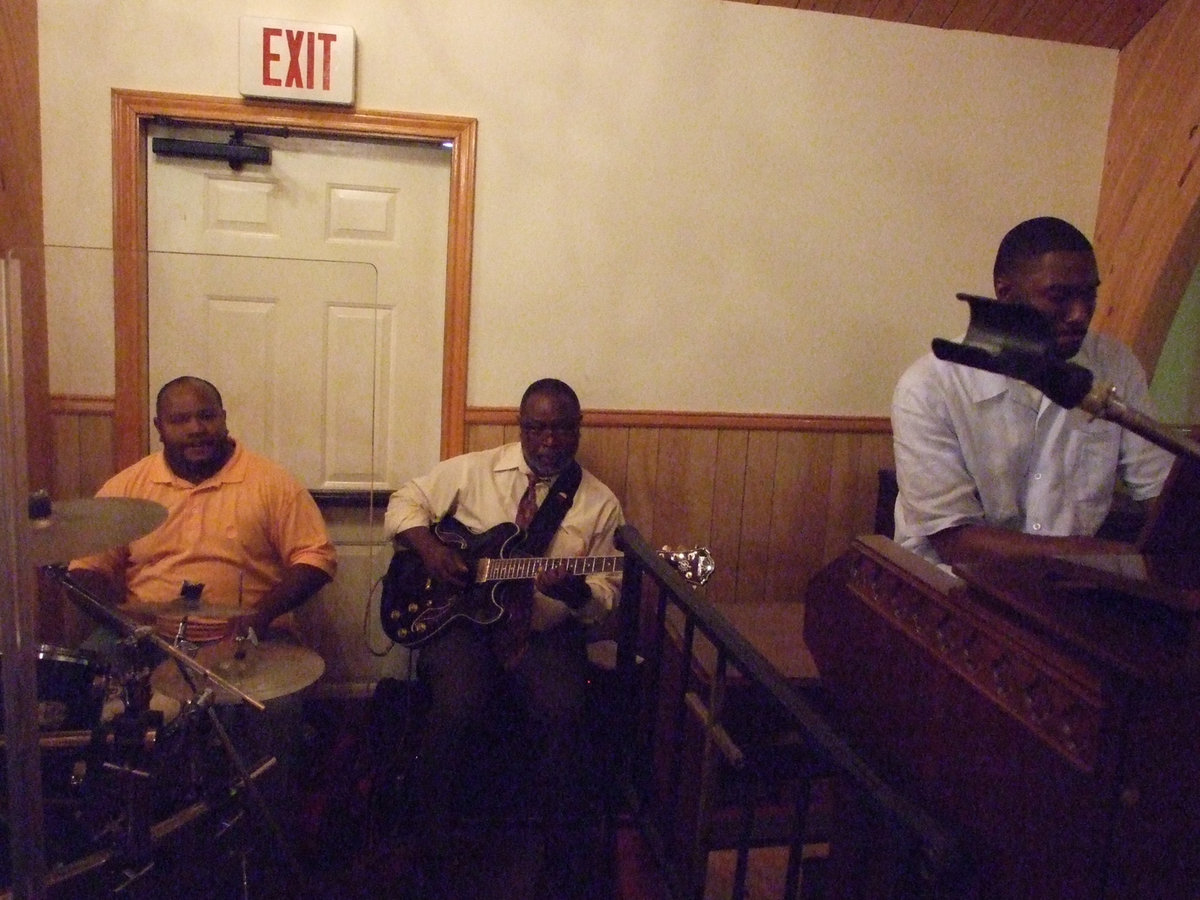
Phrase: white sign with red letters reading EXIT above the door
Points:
(297, 61)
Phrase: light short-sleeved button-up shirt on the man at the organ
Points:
(974, 447)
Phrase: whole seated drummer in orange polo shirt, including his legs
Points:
(245, 530)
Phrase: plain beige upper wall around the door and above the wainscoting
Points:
(711, 206)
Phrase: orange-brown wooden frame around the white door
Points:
(135, 112)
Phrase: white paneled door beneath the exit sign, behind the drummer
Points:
(313, 293)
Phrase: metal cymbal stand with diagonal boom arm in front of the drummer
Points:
(136, 848)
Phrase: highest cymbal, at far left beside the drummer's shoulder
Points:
(76, 529)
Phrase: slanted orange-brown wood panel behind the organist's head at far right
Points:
(1148, 230)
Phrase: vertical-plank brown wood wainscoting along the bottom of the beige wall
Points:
(775, 499)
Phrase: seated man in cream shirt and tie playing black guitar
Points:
(521, 677)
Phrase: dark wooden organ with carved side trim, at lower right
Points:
(1052, 717)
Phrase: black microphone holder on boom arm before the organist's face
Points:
(1017, 341)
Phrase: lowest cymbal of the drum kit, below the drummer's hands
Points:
(269, 670)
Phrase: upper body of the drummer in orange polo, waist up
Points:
(238, 524)
